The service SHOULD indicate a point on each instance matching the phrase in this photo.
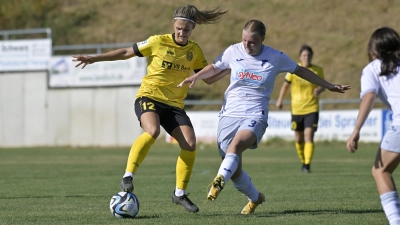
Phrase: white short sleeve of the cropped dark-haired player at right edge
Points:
(369, 81)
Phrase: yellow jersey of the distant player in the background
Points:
(302, 96)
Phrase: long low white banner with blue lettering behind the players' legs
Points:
(333, 125)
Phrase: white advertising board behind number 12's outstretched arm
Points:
(63, 73)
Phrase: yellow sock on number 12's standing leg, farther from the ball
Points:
(184, 167)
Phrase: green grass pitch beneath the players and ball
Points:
(75, 185)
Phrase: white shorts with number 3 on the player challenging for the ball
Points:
(229, 126)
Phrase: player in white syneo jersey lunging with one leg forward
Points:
(244, 113)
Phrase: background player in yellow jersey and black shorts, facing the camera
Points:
(304, 106)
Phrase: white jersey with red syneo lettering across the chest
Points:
(252, 79)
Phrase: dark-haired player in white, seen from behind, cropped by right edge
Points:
(381, 78)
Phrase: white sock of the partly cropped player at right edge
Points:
(391, 206)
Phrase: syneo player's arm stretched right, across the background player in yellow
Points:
(313, 78)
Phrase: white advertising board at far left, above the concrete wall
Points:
(23, 55)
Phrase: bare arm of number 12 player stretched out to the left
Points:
(119, 54)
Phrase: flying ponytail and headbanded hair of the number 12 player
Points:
(191, 13)
